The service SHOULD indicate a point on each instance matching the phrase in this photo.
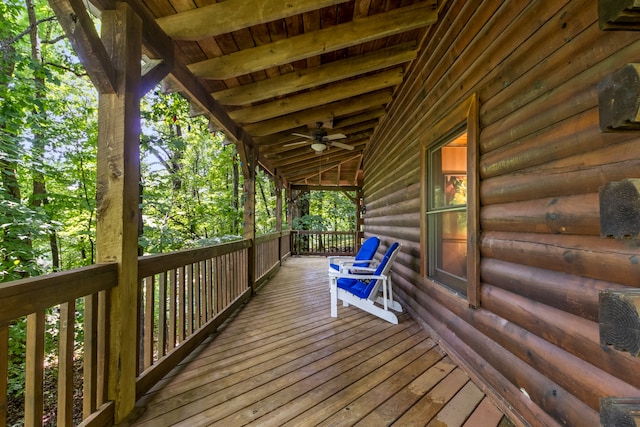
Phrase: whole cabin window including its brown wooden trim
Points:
(450, 222)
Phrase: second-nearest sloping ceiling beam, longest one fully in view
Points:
(316, 43)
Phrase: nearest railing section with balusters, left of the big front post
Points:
(59, 292)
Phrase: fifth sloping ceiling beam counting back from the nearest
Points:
(320, 114)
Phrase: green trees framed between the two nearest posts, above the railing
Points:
(187, 179)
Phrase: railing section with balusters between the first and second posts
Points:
(184, 296)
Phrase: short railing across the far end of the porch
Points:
(309, 242)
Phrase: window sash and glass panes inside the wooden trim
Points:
(447, 211)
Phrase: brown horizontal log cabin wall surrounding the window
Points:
(533, 340)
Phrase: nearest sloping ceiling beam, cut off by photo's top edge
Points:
(231, 15)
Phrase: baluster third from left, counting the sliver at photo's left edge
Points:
(65, 363)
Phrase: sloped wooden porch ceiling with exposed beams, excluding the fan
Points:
(276, 67)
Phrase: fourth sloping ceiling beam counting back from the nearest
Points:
(332, 93)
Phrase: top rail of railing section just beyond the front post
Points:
(149, 265)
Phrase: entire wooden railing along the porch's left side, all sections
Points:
(184, 296)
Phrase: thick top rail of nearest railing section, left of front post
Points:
(22, 297)
